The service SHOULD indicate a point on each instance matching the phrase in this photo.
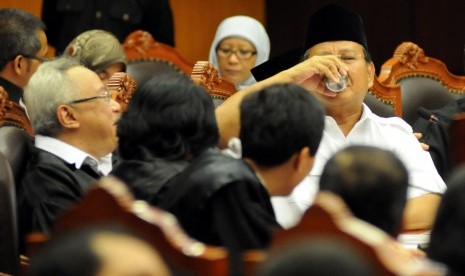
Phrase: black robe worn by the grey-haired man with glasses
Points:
(49, 187)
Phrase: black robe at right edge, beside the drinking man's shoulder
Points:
(436, 134)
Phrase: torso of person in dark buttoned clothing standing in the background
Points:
(66, 19)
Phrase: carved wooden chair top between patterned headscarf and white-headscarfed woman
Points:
(147, 57)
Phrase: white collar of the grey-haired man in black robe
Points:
(71, 154)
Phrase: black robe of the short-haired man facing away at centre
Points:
(220, 201)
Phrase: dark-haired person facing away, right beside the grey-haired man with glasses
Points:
(169, 121)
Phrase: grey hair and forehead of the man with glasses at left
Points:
(49, 87)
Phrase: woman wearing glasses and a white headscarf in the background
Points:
(240, 43)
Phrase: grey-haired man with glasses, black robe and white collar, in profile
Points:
(74, 118)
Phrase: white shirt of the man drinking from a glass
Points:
(388, 133)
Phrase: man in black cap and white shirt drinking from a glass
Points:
(336, 45)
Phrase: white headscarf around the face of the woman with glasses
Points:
(243, 27)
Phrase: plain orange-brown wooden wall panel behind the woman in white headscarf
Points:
(196, 22)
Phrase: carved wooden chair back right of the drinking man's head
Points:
(424, 81)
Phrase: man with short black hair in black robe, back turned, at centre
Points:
(225, 201)
